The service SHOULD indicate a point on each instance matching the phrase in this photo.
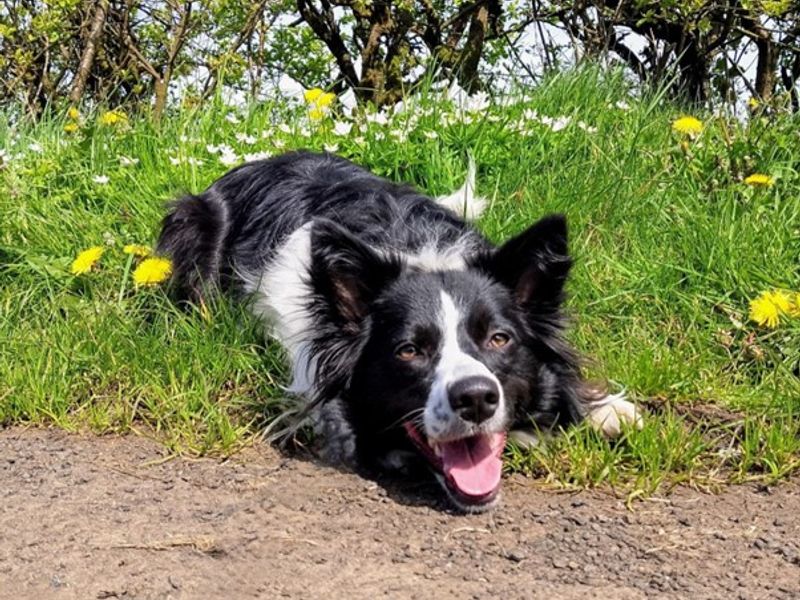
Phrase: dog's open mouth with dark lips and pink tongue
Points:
(471, 467)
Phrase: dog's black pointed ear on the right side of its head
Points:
(534, 264)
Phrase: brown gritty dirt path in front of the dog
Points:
(107, 517)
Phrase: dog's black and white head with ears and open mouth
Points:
(441, 361)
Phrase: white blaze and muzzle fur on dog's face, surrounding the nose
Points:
(441, 423)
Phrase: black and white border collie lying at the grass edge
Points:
(409, 334)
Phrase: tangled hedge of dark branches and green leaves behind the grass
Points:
(140, 52)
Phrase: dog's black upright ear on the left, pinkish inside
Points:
(346, 273)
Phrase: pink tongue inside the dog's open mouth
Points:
(474, 465)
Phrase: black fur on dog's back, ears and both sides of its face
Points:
(366, 297)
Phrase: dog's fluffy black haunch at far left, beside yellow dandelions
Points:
(193, 236)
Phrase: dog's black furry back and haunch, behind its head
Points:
(238, 225)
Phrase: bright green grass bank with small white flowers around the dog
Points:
(670, 244)
